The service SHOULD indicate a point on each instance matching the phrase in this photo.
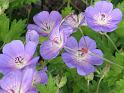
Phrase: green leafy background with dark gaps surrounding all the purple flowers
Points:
(16, 14)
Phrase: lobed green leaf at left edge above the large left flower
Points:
(11, 30)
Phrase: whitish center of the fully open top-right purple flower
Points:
(102, 19)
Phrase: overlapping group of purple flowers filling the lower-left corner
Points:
(18, 66)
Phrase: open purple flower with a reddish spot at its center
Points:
(82, 55)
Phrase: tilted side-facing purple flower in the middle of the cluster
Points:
(51, 48)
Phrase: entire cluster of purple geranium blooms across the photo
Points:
(18, 64)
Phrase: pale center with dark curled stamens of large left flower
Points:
(20, 62)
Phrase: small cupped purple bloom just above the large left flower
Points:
(32, 36)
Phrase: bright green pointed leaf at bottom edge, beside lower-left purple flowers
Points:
(49, 88)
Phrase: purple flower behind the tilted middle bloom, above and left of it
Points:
(44, 22)
